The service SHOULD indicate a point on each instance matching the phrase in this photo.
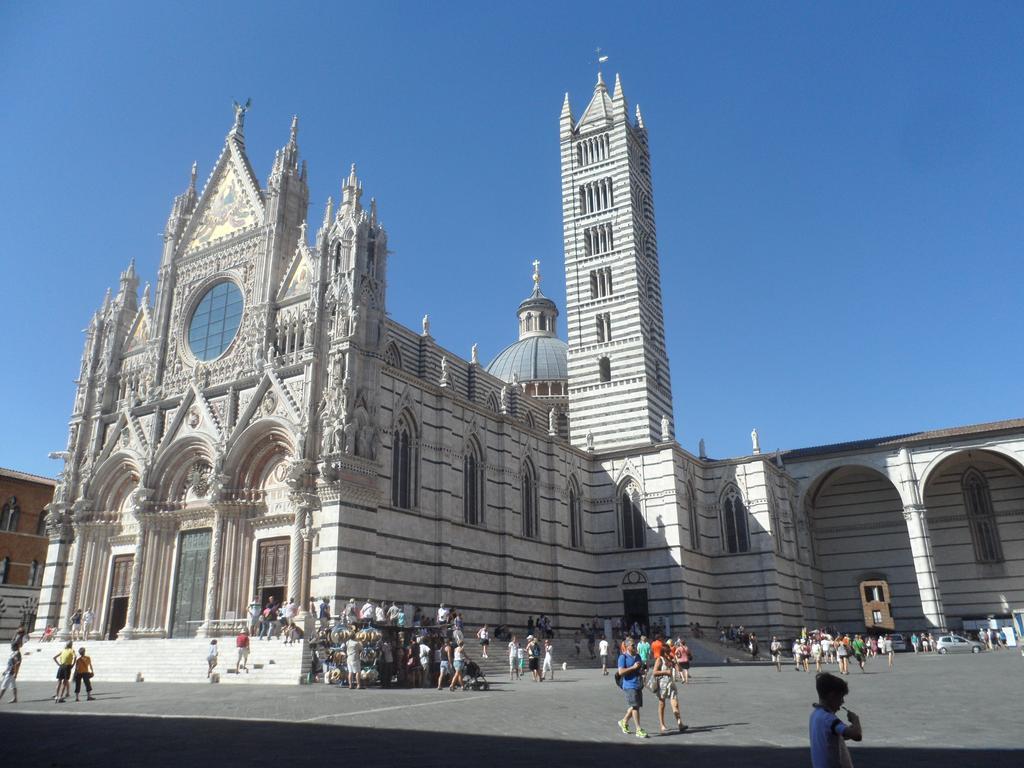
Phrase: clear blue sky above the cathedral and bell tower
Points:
(838, 187)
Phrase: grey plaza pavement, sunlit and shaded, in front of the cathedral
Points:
(932, 711)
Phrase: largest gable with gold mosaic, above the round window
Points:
(231, 203)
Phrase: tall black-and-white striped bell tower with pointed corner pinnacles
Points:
(618, 366)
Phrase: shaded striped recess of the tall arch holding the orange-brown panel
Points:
(858, 524)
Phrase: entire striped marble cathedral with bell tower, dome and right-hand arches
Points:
(260, 426)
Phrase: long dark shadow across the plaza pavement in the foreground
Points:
(160, 742)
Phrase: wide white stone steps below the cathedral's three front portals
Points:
(157, 661)
